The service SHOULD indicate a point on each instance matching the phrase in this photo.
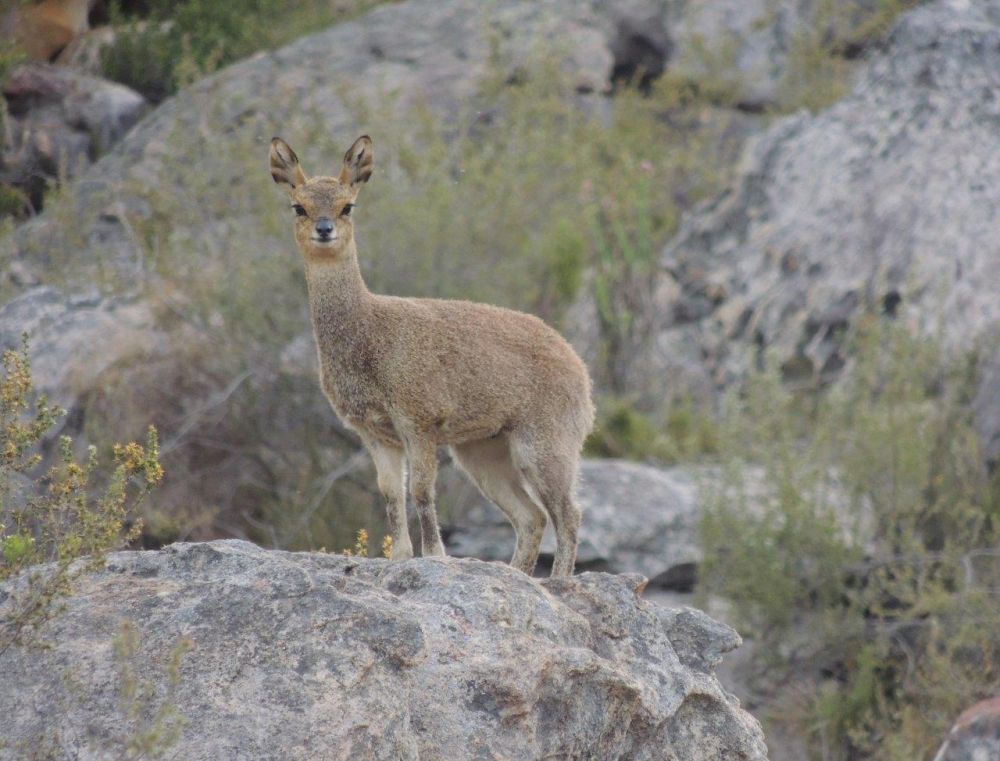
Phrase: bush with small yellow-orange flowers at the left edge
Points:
(56, 519)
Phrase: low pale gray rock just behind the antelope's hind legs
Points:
(637, 519)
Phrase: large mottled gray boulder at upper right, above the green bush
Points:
(883, 202)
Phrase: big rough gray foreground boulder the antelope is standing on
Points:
(305, 656)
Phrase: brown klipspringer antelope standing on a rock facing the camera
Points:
(501, 388)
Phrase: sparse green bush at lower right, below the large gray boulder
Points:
(857, 533)
